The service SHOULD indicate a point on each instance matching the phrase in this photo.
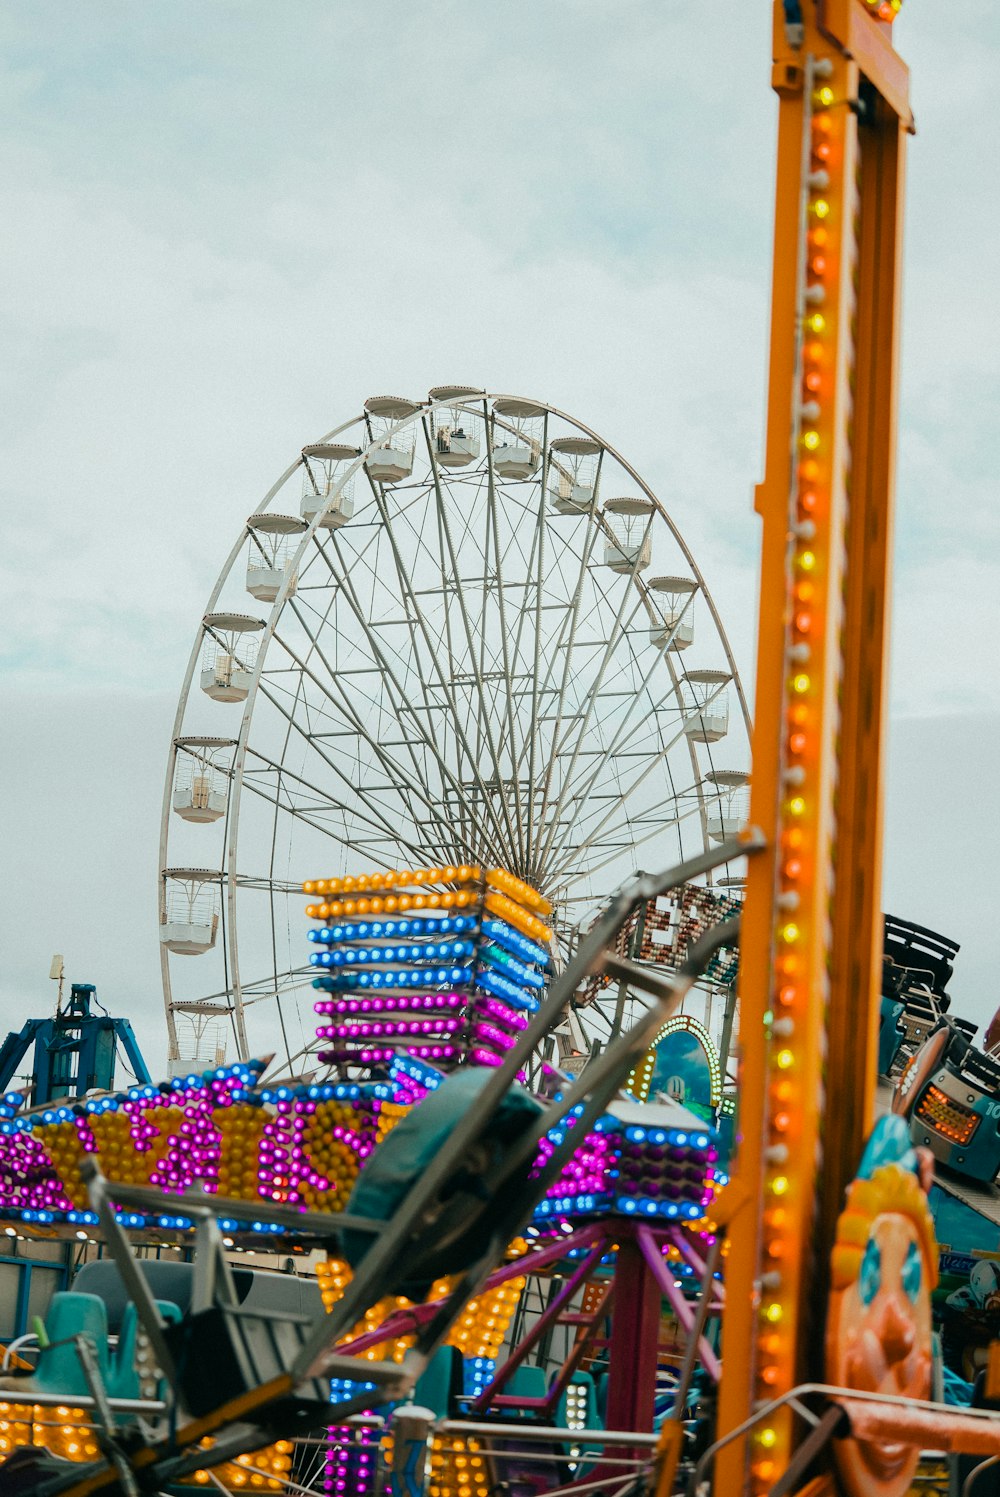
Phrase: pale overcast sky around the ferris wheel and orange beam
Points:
(230, 222)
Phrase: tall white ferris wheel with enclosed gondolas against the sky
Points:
(460, 629)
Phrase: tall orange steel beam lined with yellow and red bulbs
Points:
(812, 929)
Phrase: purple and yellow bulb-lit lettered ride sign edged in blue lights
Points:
(305, 1147)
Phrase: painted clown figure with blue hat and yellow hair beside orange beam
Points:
(879, 1327)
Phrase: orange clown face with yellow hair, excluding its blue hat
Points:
(879, 1341)
